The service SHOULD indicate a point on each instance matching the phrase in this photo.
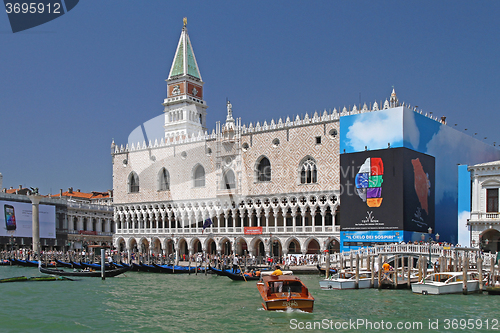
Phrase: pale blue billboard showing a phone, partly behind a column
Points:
(17, 217)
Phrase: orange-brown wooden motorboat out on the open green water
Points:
(280, 292)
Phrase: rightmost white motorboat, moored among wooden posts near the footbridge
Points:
(446, 283)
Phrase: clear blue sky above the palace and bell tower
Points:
(70, 86)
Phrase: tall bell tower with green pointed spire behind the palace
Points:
(185, 109)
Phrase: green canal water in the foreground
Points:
(147, 302)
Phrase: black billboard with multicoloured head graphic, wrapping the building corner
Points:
(388, 189)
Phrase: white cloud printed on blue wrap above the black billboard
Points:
(375, 130)
